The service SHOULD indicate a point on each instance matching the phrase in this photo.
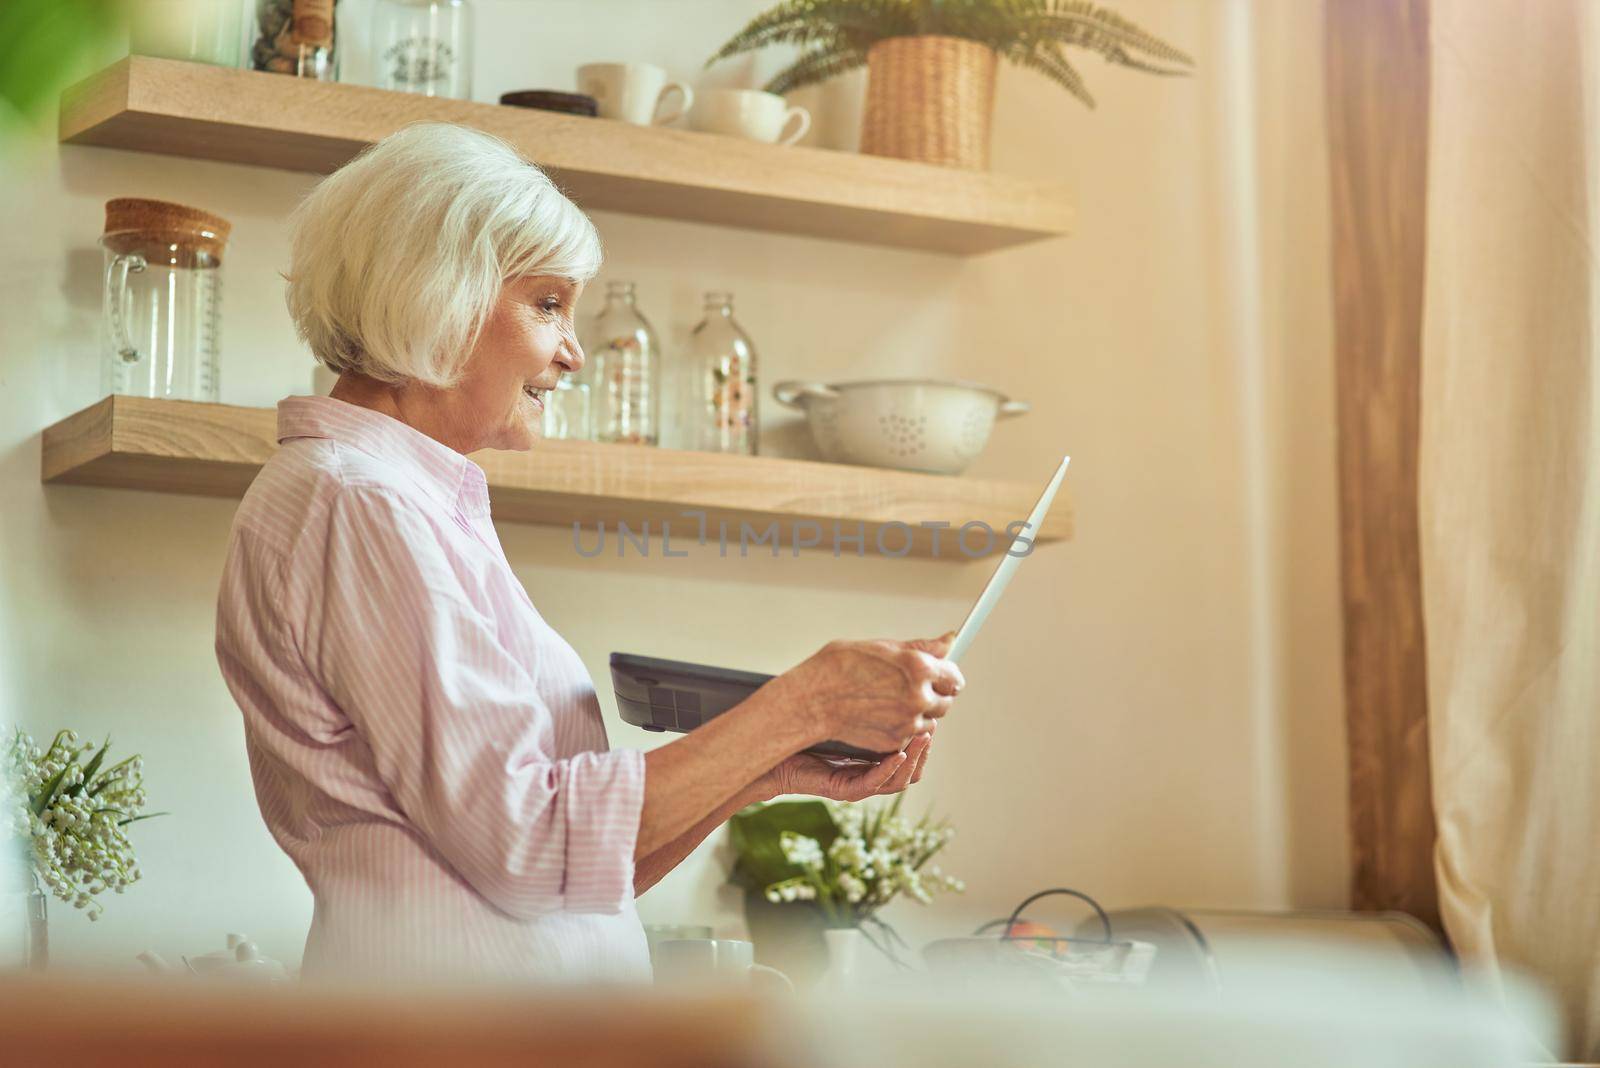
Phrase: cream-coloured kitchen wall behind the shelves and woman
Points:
(1154, 714)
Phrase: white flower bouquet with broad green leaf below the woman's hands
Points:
(847, 861)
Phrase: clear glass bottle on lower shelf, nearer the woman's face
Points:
(625, 353)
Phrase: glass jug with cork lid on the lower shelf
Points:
(162, 300)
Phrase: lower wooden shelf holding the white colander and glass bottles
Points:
(215, 450)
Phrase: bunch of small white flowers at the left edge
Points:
(73, 813)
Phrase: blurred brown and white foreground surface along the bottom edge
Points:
(1330, 1010)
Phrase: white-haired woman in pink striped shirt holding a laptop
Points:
(426, 749)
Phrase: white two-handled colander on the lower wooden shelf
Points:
(910, 424)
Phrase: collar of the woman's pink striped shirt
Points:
(446, 474)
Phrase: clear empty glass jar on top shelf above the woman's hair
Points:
(425, 47)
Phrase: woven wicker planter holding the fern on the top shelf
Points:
(930, 100)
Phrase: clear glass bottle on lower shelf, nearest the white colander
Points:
(724, 367)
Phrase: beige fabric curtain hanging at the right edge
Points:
(1511, 492)
